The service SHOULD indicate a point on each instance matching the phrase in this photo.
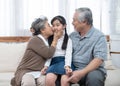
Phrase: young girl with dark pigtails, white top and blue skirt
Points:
(60, 64)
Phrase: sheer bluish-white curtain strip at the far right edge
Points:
(115, 17)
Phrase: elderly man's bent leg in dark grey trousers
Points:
(95, 78)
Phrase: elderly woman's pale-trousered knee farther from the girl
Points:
(28, 80)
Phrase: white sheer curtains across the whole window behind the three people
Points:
(16, 16)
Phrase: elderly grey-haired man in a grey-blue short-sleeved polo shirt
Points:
(89, 50)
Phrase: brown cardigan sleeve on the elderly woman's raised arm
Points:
(37, 45)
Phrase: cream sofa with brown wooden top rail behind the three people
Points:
(12, 50)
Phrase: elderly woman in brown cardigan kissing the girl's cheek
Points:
(37, 52)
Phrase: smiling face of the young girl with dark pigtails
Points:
(58, 26)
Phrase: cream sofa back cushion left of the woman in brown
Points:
(10, 55)
